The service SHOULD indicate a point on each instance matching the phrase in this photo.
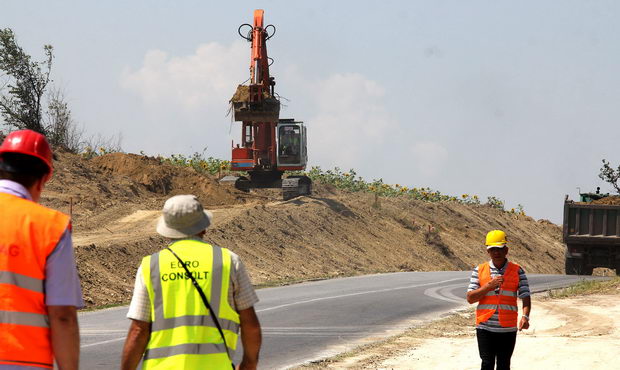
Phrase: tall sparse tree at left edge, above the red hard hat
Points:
(25, 83)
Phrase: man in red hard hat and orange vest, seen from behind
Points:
(39, 285)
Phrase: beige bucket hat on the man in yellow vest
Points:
(183, 217)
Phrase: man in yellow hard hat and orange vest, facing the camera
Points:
(495, 285)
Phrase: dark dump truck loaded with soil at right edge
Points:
(591, 233)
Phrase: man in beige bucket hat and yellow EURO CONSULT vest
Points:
(191, 299)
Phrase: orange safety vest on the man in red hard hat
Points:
(29, 233)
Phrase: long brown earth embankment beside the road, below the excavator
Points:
(115, 200)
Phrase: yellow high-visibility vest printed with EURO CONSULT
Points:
(183, 333)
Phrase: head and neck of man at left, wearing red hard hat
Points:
(26, 158)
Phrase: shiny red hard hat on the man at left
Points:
(28, 142)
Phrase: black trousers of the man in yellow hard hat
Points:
(495, 346)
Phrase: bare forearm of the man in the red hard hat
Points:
(65, 336)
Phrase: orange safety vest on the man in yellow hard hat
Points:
(503, 301)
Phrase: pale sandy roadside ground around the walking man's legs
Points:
(574, 333)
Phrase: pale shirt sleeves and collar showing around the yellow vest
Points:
(240, 297)
